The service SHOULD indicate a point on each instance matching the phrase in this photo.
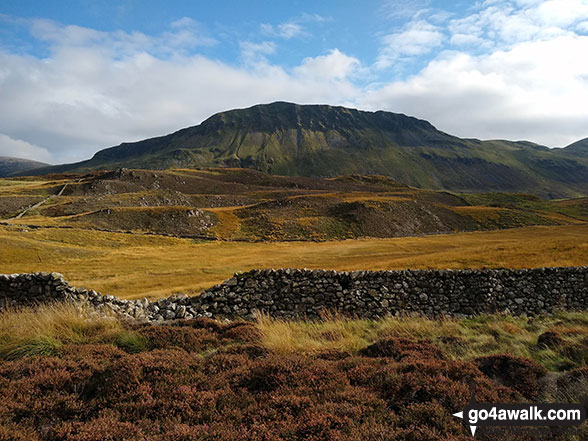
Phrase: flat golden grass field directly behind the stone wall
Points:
(134, 266)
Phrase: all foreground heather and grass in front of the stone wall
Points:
(338, 379)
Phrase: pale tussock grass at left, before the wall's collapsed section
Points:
(43, 330)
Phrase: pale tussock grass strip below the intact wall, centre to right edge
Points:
(462, 339)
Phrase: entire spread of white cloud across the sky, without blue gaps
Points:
(508, 70)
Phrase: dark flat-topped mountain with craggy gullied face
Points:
(325, 141)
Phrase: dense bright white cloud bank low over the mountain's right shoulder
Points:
(535, 90)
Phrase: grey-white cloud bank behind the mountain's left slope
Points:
(96, 90)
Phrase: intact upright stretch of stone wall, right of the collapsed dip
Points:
(292, 293)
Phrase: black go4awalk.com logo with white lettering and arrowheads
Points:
(562, 415)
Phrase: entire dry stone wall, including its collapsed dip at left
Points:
(293, 293)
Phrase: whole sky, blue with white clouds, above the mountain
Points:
(80, 76)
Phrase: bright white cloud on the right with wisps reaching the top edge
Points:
(510, 69)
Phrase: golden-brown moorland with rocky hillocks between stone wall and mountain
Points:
(136, 233)
